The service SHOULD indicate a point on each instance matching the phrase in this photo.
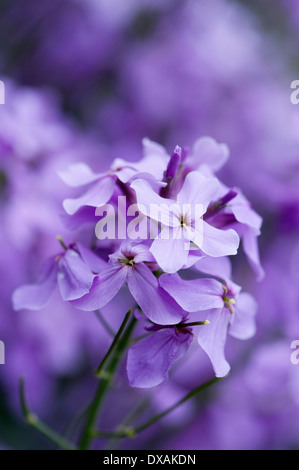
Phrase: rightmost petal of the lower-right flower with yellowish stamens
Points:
(243, 321)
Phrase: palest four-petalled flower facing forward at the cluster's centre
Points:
(181, 219)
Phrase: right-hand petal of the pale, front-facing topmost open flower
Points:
(216, 242)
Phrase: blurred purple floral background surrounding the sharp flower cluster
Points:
(86, 80)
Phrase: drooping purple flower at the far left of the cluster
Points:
(74, 271)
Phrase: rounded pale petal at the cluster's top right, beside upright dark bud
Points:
(207, 151)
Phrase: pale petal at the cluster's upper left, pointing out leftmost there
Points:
(97, 194)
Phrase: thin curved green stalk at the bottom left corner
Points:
(43, 428)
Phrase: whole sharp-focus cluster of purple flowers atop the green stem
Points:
(173, 256)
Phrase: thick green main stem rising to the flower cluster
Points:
(115, 356)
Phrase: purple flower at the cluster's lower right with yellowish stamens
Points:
(225, 308)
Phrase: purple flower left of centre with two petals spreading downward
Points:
(131, 264)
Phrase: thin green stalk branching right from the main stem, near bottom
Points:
(131, 432)
